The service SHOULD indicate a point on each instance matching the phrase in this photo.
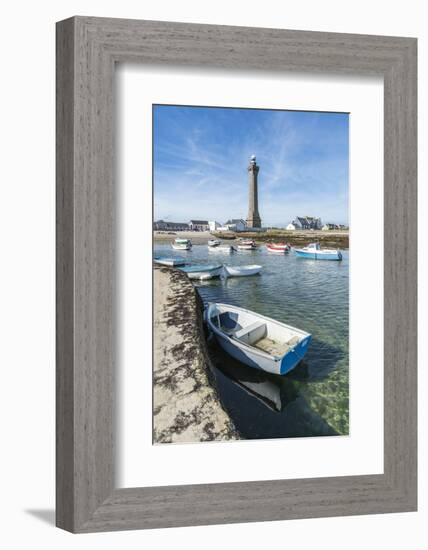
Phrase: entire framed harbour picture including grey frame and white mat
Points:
(236, 274)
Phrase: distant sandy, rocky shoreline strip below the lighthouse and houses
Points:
(335, 238)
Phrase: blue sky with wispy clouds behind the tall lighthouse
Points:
(201, 156)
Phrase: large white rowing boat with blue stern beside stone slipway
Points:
(256, 340)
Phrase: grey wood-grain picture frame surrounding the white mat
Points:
(87, 50)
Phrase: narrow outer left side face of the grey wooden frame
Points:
(64, 277)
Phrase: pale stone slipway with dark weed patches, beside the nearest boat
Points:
(185, 402)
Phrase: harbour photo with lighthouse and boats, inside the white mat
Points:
(248, 270)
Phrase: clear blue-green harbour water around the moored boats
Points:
(312, 295)
